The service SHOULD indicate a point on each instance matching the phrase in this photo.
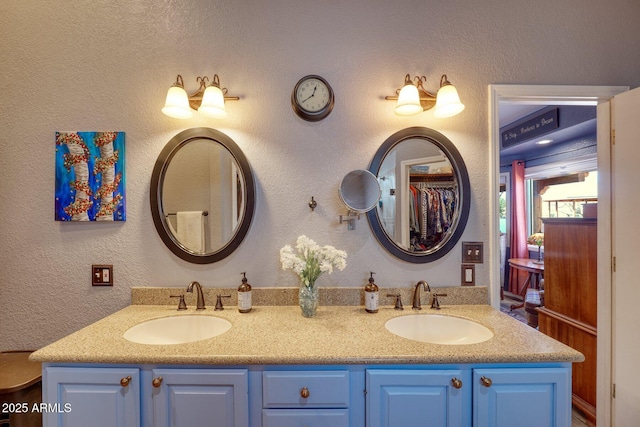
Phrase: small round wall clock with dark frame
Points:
(312, 98)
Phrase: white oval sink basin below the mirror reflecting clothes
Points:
(438, 329)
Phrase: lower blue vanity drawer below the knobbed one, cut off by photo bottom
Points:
(305, 417)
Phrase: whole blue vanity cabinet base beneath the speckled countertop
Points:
(466, 395)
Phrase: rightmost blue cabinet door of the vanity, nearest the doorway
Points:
(523, 397)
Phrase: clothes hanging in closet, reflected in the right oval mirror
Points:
(431, 213)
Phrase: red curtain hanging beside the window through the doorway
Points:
(518, 224)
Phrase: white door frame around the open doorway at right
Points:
(564, 95)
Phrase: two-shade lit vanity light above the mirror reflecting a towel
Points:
(208, 100)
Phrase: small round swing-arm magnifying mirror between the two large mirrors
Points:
(360, 190)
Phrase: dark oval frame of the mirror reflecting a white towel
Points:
(155, 194)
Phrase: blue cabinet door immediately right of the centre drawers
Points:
(400, 398)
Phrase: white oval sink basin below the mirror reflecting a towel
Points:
(177, 330)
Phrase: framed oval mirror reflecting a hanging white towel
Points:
(202, 195)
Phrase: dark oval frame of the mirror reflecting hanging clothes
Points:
(464, 189)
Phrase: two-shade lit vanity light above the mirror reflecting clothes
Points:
(413, 98)
